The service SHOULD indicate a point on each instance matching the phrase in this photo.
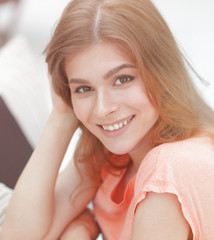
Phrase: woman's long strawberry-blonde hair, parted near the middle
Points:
(137, 27)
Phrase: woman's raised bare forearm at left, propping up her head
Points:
(31, 208)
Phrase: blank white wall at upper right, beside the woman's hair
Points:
(192, 22)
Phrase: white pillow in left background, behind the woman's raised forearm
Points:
(24, 88)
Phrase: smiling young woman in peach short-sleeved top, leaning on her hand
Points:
(146, 155)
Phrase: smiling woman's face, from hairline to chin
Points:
(109, 97)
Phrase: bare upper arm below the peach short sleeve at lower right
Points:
(160, 217)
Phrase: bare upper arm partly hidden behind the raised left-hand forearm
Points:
(67, 205)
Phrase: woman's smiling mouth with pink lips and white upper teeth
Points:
(116, 128)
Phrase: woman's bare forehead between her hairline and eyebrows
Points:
(101, 56)
